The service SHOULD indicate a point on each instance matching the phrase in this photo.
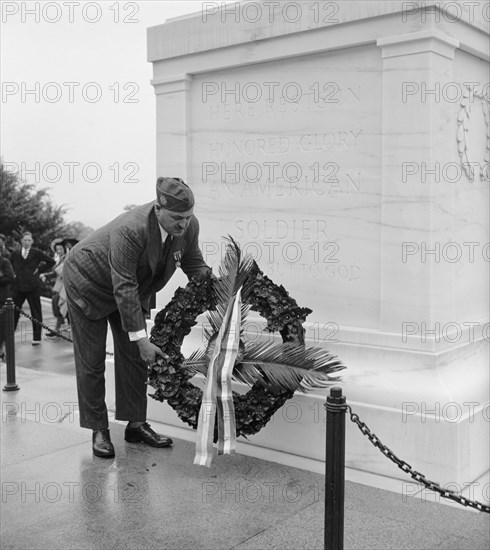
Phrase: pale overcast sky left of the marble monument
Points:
(78, 110)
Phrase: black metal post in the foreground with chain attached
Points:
(335, 470)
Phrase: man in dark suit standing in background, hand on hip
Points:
(28, 263)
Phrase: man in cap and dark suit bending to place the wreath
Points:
(109, 278)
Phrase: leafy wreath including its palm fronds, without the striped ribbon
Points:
(274, 371)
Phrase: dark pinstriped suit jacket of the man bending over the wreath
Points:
(116, 266)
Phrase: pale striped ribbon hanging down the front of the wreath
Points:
(218, 395)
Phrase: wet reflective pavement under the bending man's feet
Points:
(56, 495)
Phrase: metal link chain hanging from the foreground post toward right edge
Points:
(432, 485)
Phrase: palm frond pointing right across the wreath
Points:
(287, 367)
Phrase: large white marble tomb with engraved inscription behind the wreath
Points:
(345, 146)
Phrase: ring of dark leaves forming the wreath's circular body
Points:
(171, 378)
